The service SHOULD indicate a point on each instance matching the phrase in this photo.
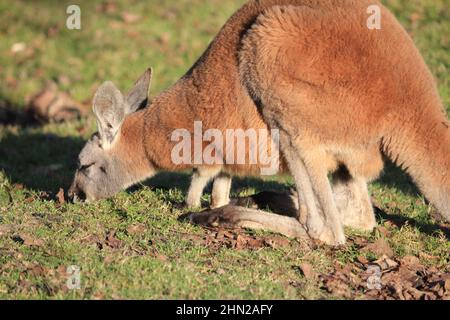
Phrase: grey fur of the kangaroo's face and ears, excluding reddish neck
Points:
(100, 173)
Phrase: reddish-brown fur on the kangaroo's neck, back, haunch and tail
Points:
(342, 92)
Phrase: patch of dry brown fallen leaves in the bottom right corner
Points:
(387, 279)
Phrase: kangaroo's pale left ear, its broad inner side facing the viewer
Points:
(109, 108)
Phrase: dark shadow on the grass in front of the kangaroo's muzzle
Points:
(41, 162)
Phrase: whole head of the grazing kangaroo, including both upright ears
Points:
(111, 160)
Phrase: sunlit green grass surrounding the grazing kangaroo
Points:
(40, 238)
